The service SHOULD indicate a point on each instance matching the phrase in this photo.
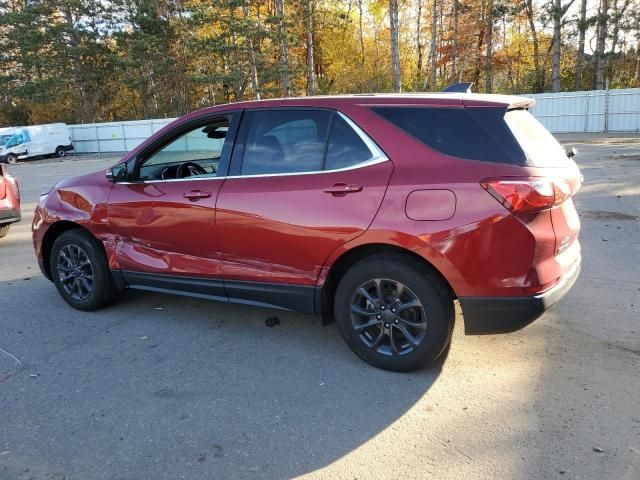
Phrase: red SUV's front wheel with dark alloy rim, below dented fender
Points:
(92, 286)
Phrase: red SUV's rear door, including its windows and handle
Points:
(303, 182)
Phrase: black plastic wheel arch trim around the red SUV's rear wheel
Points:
(326, 294)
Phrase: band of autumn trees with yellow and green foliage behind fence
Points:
(90, 60)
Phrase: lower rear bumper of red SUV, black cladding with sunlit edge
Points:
(488, 315)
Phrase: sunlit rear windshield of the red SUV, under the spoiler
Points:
(540, 147)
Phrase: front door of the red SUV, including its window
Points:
(164, 221)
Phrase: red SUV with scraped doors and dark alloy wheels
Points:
(376, 211)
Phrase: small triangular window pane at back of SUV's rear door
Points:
(346, 148)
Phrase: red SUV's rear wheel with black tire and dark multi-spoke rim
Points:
(429, 322)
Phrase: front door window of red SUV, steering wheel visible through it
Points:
(194, 153)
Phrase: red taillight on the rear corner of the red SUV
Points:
(532, 194)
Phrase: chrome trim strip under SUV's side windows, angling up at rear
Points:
(377, 156)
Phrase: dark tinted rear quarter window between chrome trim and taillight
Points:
(475, 134)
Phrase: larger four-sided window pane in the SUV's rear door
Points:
(286, 141)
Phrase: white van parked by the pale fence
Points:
(36, 141)
